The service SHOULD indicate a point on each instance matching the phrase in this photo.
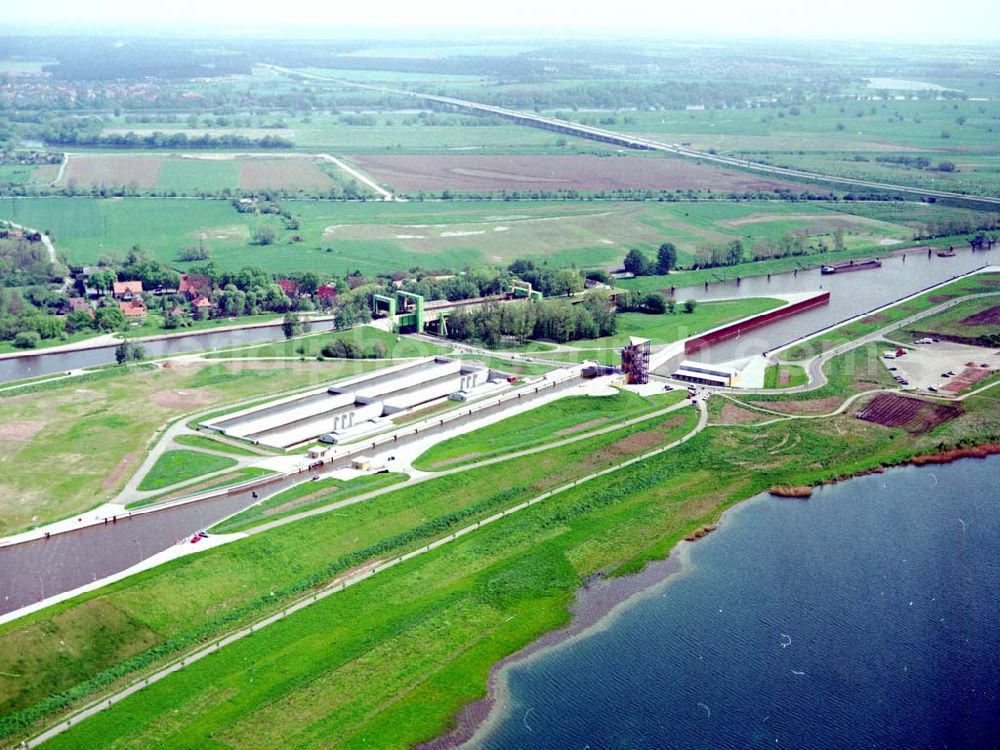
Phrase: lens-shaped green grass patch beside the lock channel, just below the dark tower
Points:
(551, 422)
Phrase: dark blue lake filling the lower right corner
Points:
(864, 617)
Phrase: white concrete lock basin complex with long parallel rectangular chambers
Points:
(353, 408)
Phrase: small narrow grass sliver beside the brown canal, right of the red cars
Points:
(306, 496)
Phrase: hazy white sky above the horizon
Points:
(832, 19)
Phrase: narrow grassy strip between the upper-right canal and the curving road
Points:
(977, 284)
